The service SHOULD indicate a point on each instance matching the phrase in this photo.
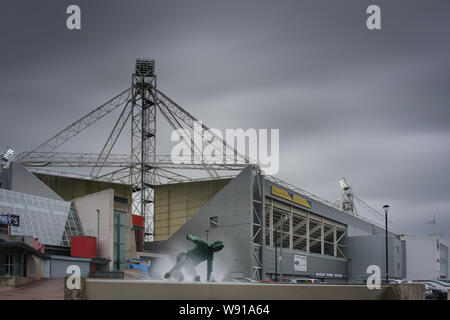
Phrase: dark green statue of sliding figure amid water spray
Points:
(189, 259)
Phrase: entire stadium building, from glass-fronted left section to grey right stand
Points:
(269, 229)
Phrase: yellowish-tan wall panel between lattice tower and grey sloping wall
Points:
(175, 204)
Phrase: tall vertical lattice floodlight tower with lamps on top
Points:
(143, 141)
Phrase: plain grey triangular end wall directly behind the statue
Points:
(231, 205)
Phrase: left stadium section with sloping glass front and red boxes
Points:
(50, 210)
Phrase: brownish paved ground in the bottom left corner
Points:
(45, 289)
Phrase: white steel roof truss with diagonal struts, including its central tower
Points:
(142, 169)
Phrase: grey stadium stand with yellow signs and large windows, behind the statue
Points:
(317, 240)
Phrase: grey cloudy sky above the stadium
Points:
(372, 106)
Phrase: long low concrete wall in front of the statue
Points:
(145, 290)
